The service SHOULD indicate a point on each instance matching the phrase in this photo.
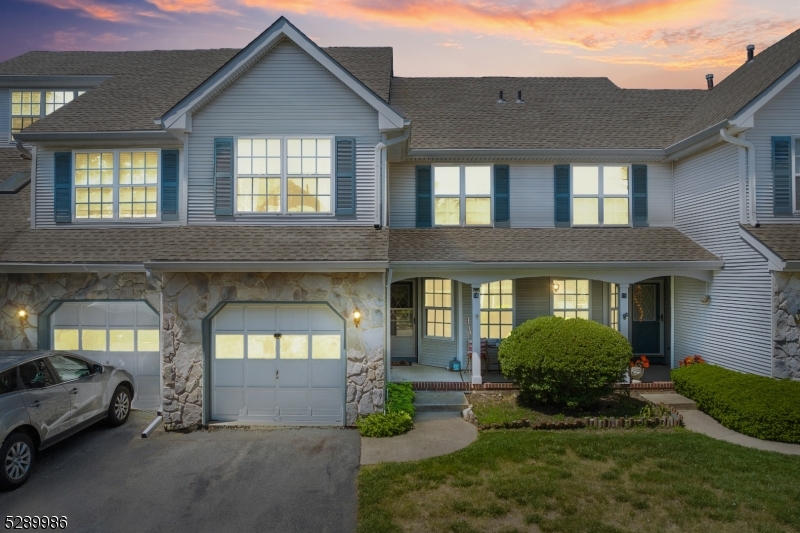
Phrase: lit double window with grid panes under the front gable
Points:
(283, 175)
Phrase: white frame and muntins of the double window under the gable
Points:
(284, 177)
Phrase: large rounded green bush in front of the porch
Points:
(564, 362)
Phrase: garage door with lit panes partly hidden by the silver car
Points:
(123, 334)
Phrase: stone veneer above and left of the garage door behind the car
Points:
(34, 292)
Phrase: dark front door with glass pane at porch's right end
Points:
(647, 318)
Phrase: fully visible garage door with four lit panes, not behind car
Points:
(281, 364)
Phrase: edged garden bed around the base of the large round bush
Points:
(490, 408)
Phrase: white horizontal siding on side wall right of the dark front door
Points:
(734, 328)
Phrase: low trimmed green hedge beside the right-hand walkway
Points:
(758, 406)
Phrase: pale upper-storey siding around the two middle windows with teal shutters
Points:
(532, 195)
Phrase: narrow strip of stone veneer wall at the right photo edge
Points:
(786, 331)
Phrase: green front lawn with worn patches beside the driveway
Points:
(585, 481)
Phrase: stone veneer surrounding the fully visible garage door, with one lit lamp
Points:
(189, 297)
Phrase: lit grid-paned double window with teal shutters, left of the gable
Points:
(116, 184)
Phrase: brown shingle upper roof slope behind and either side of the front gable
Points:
(145, 85)
